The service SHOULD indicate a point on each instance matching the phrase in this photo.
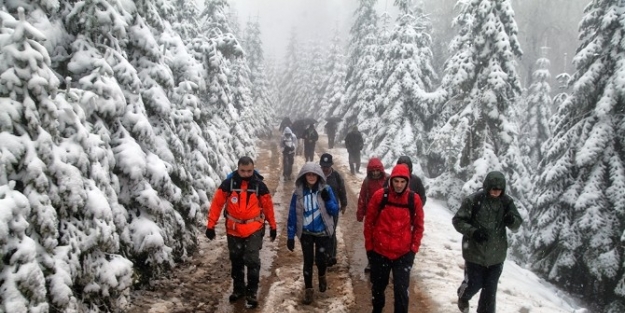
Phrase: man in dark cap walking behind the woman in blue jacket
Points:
(334, 180)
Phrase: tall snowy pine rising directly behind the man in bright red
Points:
(406, 75)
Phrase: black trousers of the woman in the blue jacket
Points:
(315, 249)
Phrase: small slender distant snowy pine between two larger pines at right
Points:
(535, 125)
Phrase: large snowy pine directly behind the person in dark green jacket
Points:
(481, 83)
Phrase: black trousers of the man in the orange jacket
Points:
(245, 252)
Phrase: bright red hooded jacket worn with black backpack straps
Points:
(388, 232)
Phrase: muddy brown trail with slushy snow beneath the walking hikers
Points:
(203, 283)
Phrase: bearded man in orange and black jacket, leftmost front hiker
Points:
(248, 205)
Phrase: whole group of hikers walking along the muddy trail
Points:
(391, 207)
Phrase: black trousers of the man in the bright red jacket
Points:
(381, 268)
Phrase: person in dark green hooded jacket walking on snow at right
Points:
(482, 220)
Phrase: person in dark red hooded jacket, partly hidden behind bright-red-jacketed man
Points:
(376, 177)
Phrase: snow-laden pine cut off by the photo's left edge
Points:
(27, 115)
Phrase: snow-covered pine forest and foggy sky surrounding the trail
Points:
(119, 118)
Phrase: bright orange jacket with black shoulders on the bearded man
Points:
(248, 204)
